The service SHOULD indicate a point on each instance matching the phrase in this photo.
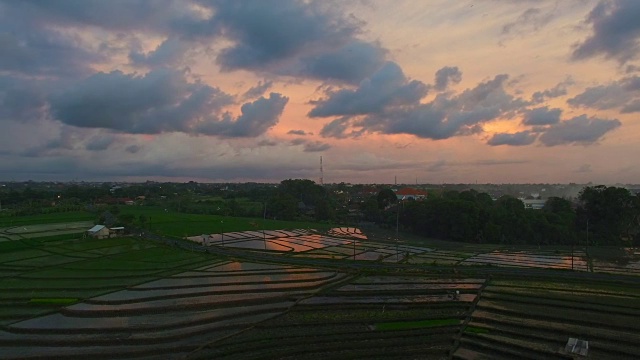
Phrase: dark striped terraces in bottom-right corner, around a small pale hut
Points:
(527, 319)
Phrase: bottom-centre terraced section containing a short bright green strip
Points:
(393, 317)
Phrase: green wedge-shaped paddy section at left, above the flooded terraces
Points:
(60, 270)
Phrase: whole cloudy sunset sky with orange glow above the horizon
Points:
(438, 91)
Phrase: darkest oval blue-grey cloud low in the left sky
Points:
(160, 101)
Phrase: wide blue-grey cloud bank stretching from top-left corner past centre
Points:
(296, 38)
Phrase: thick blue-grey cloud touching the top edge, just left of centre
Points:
(265, 32)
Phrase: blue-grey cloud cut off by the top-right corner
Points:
(616, 31)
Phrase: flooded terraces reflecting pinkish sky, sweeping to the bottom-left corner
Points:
(169, 317)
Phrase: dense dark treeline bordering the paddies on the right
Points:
(603, 215)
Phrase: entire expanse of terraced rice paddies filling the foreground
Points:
(300, 294)
